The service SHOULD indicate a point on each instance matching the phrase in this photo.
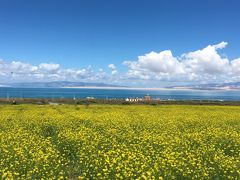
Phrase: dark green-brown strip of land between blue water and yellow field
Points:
(84, 101)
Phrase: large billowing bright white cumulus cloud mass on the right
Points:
(203, 65)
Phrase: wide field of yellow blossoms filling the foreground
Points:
(119, 142)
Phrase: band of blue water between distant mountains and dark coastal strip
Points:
(118, 93)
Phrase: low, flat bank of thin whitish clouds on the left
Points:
(20, 71)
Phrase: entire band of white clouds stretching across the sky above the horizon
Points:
(206, 65)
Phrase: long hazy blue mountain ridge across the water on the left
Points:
(56, 84)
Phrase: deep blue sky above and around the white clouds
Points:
(74, 34)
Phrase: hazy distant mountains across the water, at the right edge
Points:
(224, 86)
